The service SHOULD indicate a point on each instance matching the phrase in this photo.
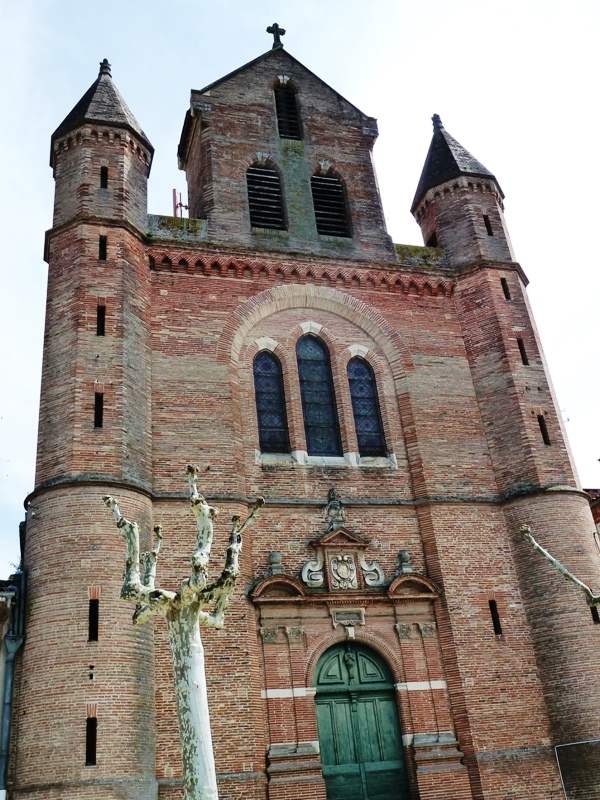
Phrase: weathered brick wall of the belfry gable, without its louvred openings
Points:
(232, 122)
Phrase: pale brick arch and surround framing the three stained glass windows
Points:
(385, 352)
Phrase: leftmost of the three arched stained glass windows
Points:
(270, 404)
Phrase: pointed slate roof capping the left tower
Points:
(103, 104)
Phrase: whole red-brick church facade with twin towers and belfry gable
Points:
(393, 636)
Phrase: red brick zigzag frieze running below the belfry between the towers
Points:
(371, 279)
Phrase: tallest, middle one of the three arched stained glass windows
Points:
(318, 398)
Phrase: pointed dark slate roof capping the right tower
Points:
(447, 159)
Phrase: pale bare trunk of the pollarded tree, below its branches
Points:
(199, 776)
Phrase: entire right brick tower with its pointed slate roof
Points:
(458, 205)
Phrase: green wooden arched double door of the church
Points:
(359, 730)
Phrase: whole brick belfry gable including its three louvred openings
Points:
(276, 159)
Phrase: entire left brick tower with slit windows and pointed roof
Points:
(94, 433)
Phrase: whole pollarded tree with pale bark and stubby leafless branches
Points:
(186, 610)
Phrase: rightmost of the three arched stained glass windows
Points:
(365, 406)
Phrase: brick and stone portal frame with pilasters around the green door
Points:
(297, 625)
